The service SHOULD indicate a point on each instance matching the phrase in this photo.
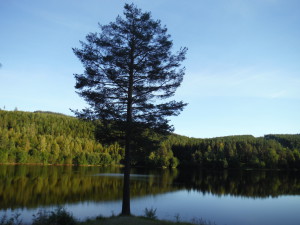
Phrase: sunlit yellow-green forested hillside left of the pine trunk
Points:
(52, 138)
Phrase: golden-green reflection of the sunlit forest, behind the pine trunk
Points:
(33, 186)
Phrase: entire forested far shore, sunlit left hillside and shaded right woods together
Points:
(53, 138)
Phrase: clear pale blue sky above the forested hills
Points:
(242, 67)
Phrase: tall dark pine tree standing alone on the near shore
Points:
(128, 65)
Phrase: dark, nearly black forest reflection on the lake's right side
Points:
(253, 184)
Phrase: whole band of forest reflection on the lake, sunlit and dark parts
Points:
(25, 186)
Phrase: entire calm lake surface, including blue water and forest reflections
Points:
(230, 197)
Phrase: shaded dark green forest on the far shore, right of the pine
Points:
(271, 151)
